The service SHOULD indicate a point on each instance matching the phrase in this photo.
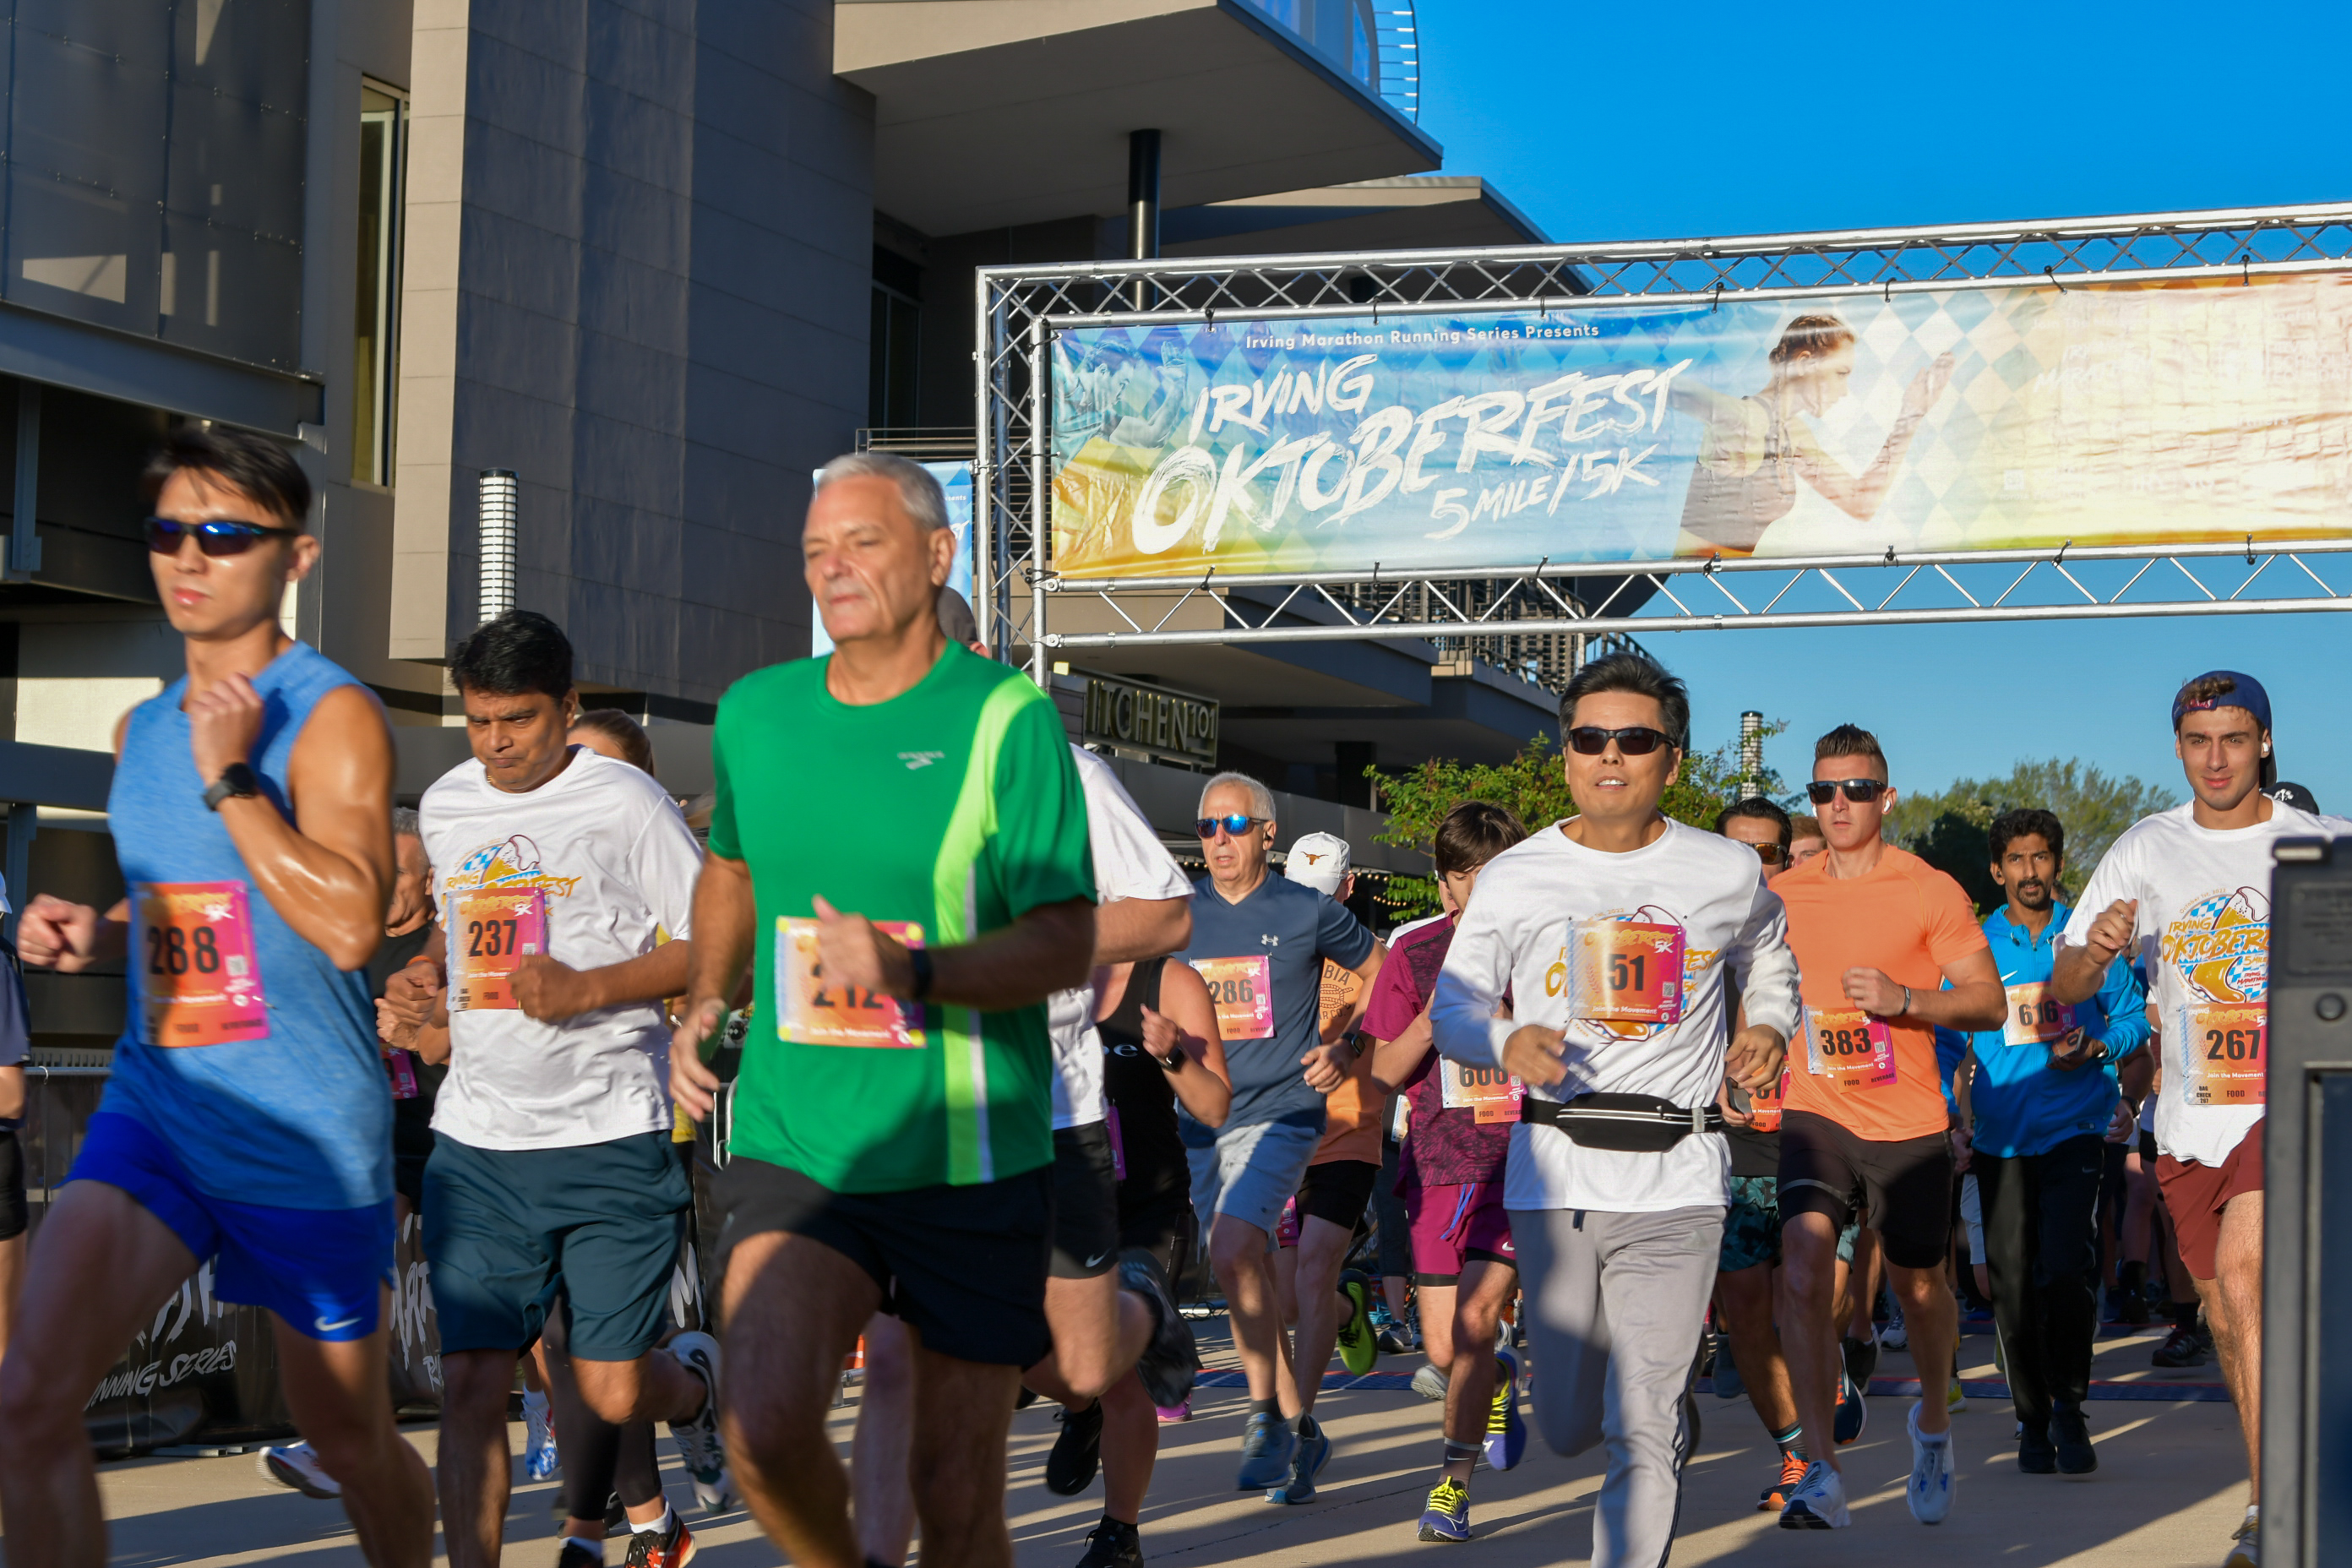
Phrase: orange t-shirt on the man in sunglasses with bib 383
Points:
(1906, 920)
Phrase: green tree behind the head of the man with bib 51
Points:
(1537, 791)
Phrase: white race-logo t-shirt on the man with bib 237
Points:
(613, 864)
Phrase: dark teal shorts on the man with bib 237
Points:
(507, 1231)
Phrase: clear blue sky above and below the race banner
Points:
(1746, 121)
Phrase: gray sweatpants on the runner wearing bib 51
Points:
(1615, 1311)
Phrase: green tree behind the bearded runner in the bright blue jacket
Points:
(1951, 829)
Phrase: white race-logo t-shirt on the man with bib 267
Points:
(2205, 946)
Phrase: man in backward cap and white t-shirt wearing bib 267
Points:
(2186, 892)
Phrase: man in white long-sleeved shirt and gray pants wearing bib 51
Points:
(1591, 967)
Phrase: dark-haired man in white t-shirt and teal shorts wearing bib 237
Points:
(554, 1184)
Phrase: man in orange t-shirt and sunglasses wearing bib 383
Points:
(1890, 951)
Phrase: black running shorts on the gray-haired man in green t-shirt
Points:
(961, 1266)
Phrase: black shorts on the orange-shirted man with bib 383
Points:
(1906, 1186)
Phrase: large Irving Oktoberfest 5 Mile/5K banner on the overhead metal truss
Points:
(1991, 420)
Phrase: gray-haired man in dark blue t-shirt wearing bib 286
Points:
(1262, 944)
